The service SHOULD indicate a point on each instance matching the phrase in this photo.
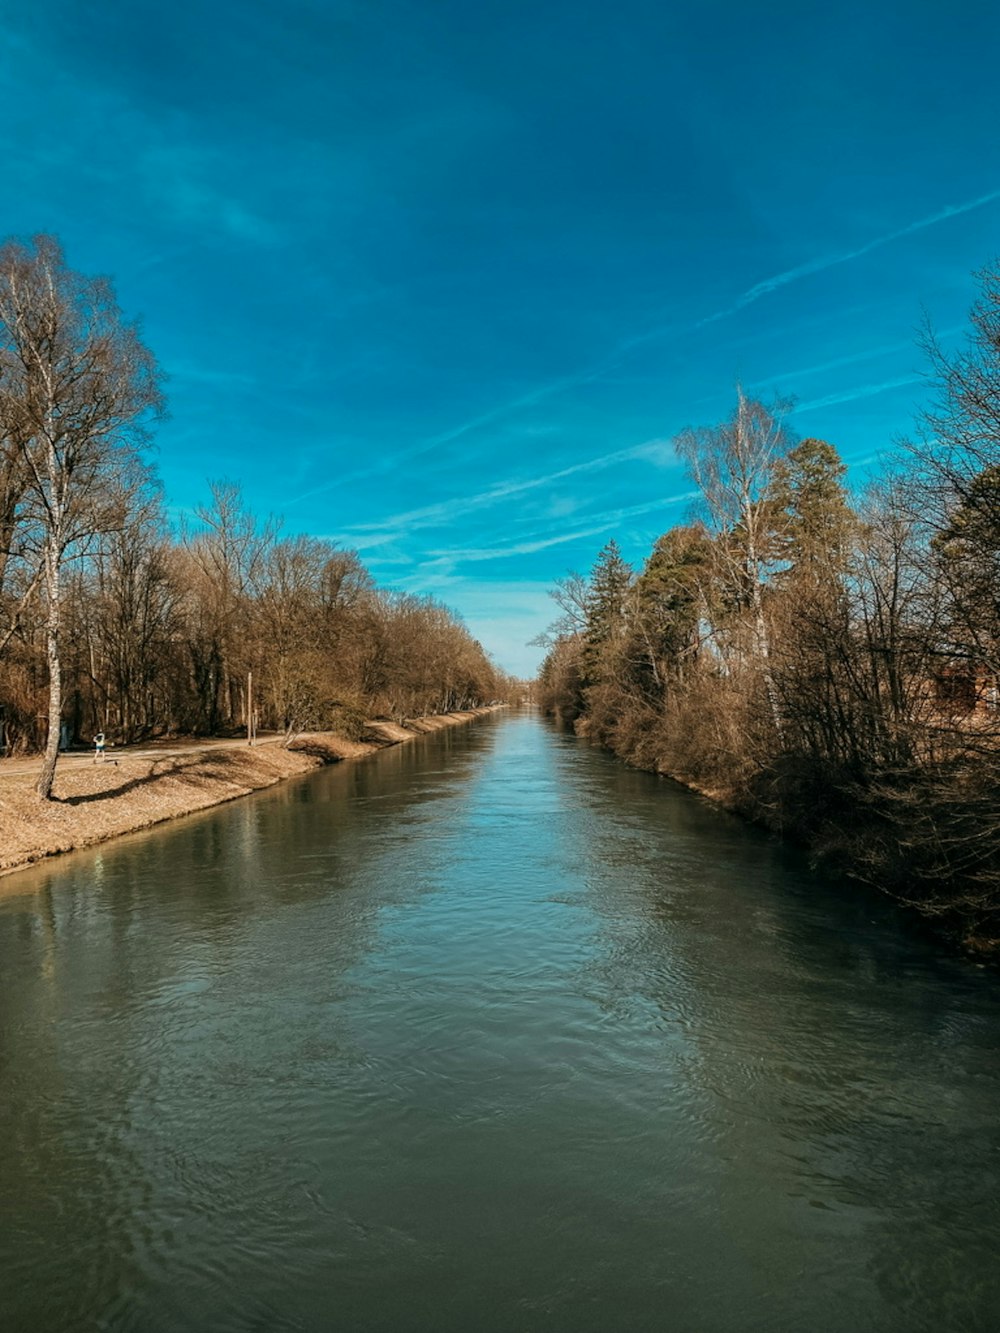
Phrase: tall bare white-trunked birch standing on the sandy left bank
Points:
(77, 390)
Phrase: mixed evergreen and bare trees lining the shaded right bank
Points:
(825, 662)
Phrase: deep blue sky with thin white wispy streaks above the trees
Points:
(441, 281)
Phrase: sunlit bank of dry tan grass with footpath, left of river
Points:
(94, 803)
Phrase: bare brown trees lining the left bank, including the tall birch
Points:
(111, 621)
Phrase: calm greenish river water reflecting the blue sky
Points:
(486, 1034)
